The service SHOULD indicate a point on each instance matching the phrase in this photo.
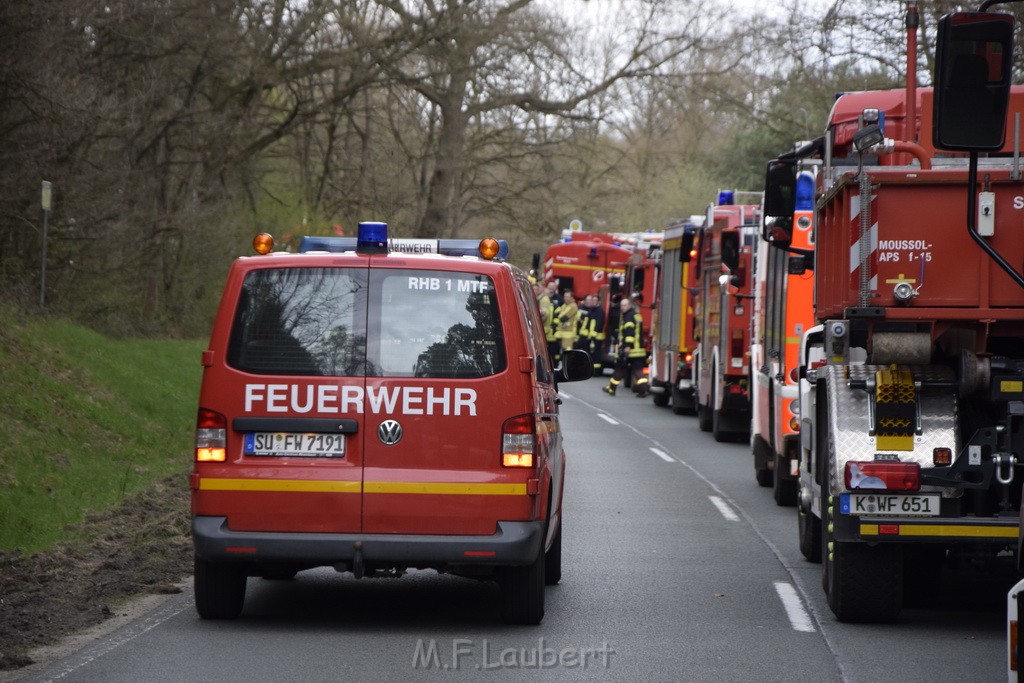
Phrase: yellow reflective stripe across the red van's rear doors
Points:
(322, 487)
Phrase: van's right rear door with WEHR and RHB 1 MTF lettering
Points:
(444, 383)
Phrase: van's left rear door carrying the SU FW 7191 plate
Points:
(293, 383)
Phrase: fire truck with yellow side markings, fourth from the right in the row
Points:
(673, 343)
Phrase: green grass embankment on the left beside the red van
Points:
(84, 422)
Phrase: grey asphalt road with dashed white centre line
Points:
(677, 567)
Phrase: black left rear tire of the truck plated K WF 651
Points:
(865, 585)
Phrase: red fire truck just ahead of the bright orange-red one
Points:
(723, 353)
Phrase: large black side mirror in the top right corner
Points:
(973, 60)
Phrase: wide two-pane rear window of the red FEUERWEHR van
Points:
(354, 323)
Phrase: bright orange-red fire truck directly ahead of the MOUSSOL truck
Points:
(784, 310)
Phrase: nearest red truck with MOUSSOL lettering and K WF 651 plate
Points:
(913, 382)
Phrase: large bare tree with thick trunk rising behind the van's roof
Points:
(492, 57)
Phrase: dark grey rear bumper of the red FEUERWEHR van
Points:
(515, 543)
